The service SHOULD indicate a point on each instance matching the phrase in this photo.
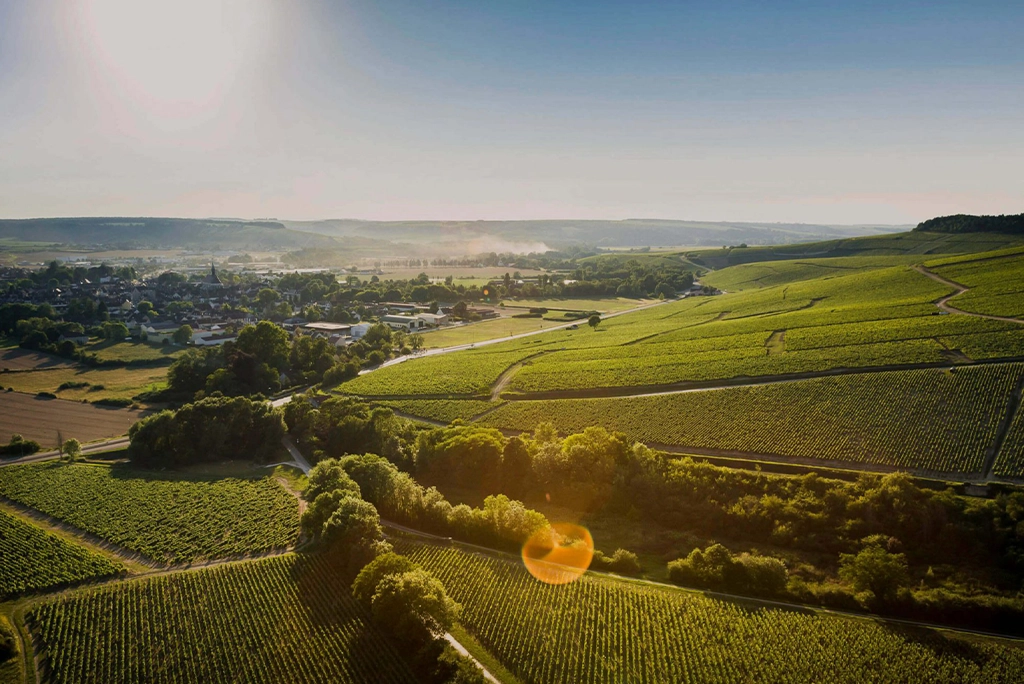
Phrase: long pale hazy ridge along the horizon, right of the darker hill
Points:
(535, 236)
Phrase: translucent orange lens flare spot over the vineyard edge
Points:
(559, 554)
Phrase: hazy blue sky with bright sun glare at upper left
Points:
(793, 112)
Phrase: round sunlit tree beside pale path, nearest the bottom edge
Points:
(414, 606)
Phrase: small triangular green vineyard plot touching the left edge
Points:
(35, 560)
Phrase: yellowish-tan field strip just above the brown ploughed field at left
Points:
(87, 383)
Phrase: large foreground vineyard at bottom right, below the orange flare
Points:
(604, 630)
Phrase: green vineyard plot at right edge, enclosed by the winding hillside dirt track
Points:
(997, 285)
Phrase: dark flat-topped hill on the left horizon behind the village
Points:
(127, 233)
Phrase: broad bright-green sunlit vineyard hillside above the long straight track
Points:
(867, 315)
